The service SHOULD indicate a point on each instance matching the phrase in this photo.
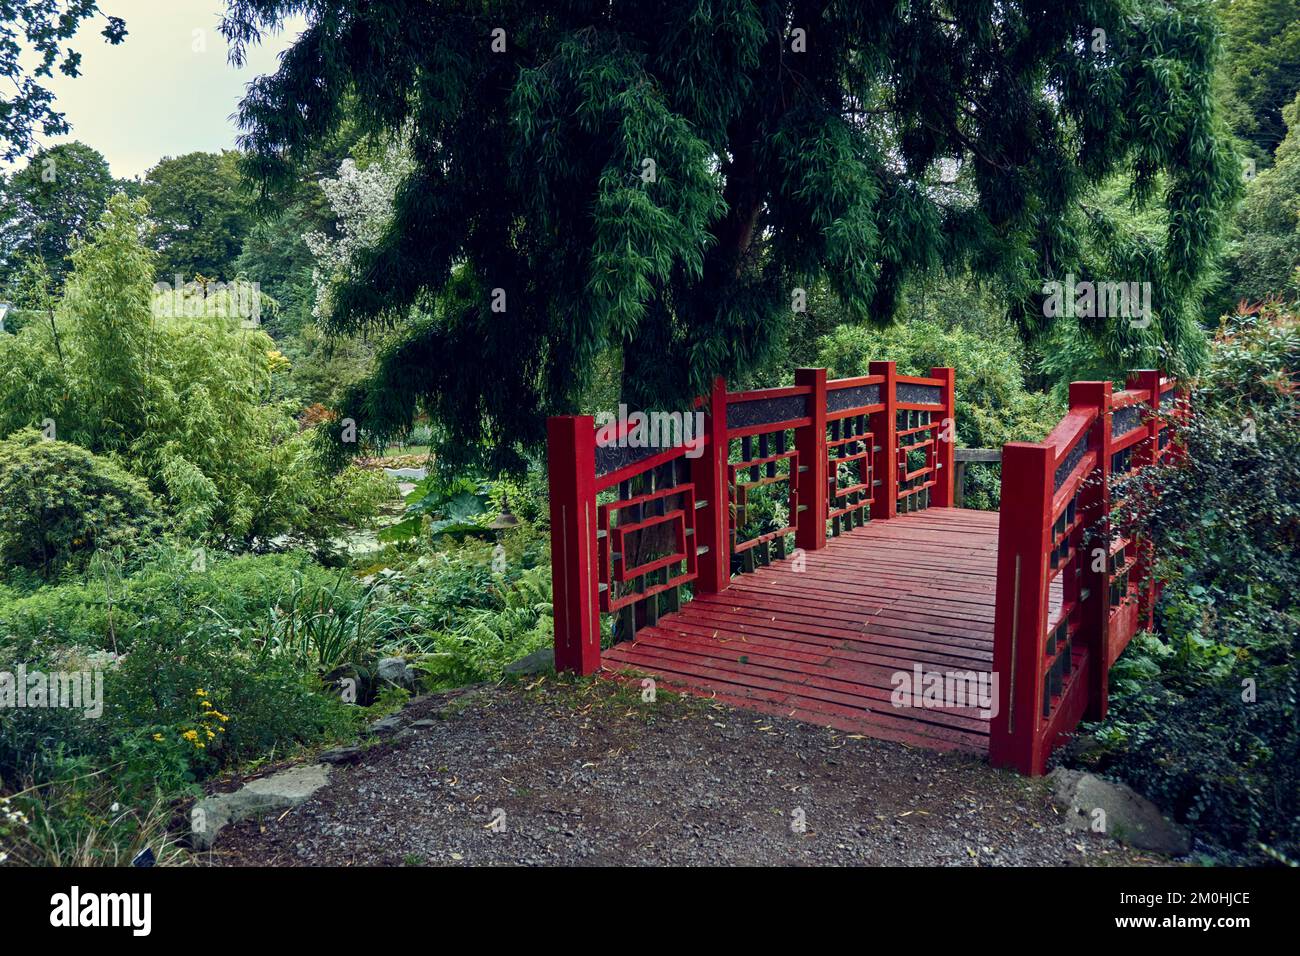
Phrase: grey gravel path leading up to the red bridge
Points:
(583, 772)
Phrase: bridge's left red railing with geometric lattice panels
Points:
(636, 530)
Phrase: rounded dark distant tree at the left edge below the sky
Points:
(50, 204)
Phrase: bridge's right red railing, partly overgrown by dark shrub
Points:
(1071, 594)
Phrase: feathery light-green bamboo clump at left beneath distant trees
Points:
(183, 395)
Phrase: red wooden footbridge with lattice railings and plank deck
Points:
(801, 556)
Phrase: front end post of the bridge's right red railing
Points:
(1021, 613)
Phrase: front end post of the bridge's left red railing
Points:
(571, 465)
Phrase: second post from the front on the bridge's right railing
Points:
(1095, 507)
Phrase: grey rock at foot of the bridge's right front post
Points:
(1125, 816)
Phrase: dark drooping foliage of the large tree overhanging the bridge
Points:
(531, 237)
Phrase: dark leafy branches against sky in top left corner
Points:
(40, 31)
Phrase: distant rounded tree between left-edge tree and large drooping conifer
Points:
(201, 214)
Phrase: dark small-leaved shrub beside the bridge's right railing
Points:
(1206, 720)
